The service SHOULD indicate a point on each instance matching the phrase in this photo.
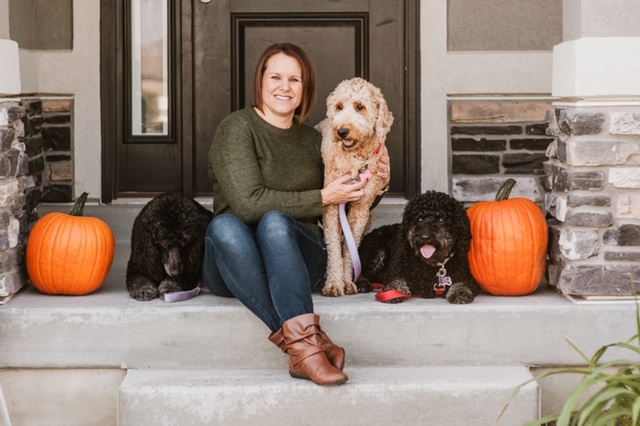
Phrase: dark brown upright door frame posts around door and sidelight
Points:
(112, 94)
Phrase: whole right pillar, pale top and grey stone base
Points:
(594, 164)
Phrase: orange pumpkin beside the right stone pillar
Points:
(509, 245)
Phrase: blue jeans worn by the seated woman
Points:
(271, 267)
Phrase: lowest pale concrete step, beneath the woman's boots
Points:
(373, 396)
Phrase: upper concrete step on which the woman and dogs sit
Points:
(109, 329)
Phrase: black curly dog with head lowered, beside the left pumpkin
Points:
(167, 247)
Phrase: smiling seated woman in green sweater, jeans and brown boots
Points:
(264, 245)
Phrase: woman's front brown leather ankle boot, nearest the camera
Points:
(307, 357)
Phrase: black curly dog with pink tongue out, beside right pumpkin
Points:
(425, 253)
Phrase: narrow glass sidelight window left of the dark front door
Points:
(149, 91)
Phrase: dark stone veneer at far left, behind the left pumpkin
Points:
(35, 166)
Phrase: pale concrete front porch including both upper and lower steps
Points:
(106, 359)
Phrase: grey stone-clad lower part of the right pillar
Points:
(594, 179)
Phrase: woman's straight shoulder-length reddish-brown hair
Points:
(308, 77)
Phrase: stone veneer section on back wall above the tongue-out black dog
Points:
(494, 139)
